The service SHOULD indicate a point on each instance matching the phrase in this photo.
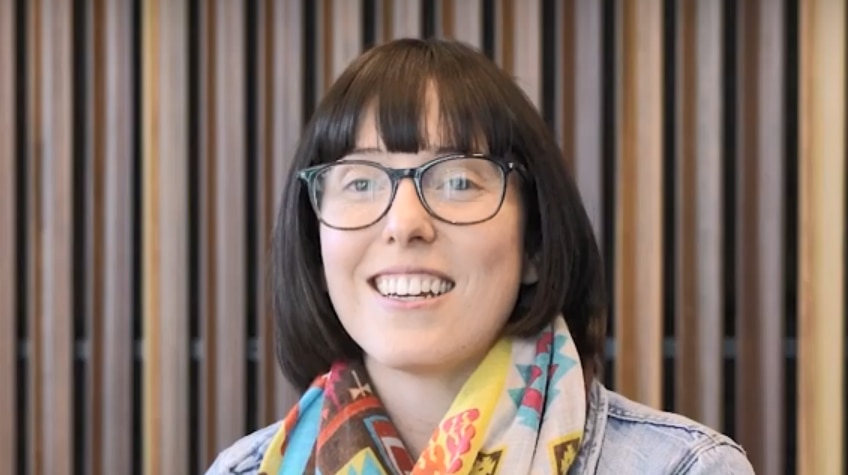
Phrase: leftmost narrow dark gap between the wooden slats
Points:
(22, 243)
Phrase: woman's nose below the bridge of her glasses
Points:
(407, 220)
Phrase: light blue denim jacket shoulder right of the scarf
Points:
(636, 435)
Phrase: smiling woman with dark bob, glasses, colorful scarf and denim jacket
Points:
(438, 291)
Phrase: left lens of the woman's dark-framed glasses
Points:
(352, 195)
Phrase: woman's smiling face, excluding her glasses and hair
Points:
(481, 267)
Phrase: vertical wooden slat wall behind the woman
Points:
(143, 144)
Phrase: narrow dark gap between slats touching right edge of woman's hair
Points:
(608, 147)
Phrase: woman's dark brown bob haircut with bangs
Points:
(476, 100)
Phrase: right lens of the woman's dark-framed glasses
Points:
(464, 190)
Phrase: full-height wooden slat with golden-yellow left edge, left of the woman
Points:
(165, 247)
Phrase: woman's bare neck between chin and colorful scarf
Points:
(416, 402)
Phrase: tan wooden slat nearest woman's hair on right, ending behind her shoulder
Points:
(638, 234)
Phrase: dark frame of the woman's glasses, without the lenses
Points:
(309, 175)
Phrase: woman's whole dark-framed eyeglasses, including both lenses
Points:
(457, 189)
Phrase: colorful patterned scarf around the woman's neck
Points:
(521, 411)
